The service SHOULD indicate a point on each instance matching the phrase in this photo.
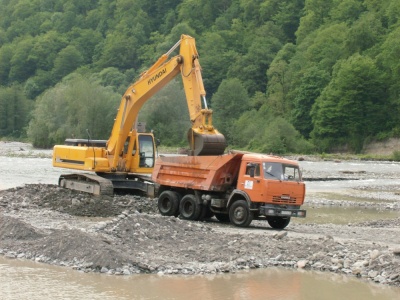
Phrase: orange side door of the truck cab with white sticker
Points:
(252, 182)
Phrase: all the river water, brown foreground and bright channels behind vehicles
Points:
(29, 280)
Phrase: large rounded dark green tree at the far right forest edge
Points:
(352, 107)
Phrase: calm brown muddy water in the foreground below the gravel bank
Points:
(30, 280)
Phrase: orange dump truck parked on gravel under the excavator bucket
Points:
(236, 187)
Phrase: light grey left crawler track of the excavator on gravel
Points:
(88, 183)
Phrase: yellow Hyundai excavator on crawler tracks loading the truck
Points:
(125, 161)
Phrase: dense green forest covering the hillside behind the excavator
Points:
(282, 76)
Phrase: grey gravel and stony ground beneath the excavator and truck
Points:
(125, 235)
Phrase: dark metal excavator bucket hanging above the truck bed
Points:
(206, 144)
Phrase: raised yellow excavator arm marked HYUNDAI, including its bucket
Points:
(204, 139)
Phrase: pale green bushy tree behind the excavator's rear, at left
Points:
(69, 109)
